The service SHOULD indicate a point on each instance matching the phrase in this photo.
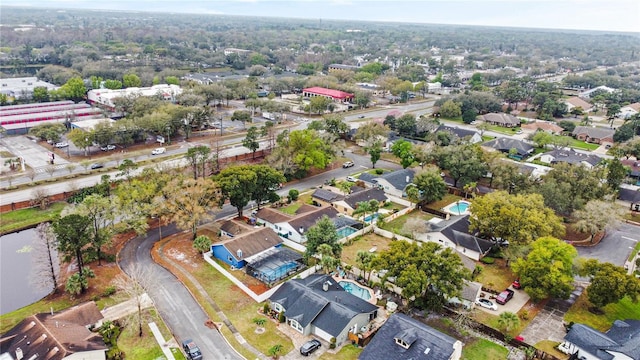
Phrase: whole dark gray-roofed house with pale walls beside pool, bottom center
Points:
(318, 305)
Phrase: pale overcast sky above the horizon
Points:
(606, 15)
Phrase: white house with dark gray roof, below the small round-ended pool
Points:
(454, 233)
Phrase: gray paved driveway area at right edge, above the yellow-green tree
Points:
(616, 245)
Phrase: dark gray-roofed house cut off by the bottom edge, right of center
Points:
(402, 338)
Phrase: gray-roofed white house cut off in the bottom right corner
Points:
(621, 341)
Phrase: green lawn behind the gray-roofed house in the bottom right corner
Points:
(579, 313)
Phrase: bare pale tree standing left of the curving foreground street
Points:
(139, 278)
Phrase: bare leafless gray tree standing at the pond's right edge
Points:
(45, 268)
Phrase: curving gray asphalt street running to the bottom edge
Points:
(175, 304)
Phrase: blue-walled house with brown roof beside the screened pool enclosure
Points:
(237, 250)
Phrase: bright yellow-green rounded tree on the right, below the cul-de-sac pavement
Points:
(548, 270)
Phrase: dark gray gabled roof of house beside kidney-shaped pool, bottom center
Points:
(306, 302)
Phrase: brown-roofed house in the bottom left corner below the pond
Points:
(57, 336)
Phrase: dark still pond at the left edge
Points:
(15, 266)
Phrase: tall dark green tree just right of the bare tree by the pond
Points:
(72, 232)
